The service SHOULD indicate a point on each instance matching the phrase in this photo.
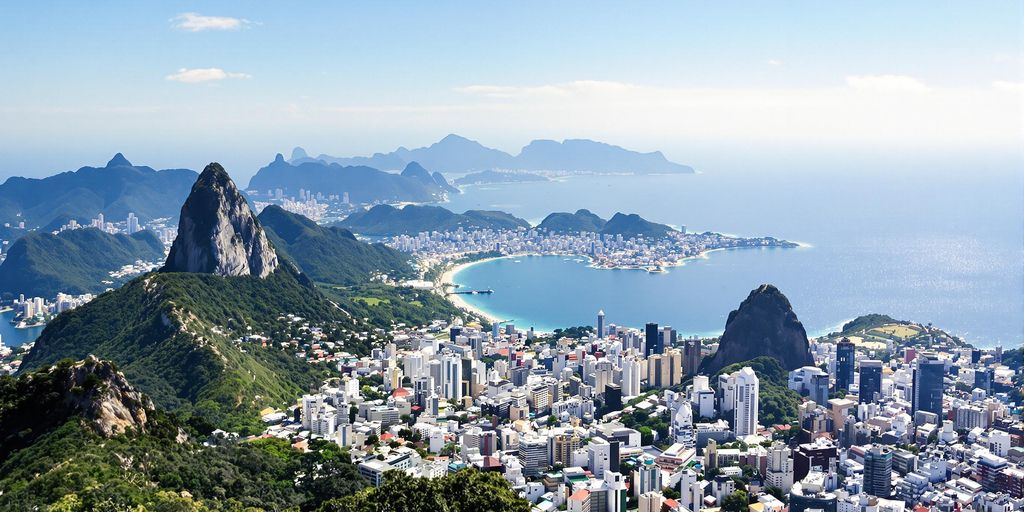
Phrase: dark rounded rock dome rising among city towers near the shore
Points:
(763, 325)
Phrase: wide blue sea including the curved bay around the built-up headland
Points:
(937, 241)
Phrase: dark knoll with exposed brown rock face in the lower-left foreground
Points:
(91, 391)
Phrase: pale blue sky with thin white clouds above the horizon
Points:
(180, 84)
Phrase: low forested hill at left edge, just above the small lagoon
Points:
(42, 265)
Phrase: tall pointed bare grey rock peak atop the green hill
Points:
(219, 233)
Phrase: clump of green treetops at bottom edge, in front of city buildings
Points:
(467, 491)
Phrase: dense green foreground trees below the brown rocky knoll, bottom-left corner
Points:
(74, 470)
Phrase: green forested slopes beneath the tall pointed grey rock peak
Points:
(175, 335)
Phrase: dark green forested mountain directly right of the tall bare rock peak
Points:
(330, 254)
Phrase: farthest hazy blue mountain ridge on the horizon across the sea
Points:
(458, 154)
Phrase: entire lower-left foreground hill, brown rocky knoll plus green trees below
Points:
(79, 437)
